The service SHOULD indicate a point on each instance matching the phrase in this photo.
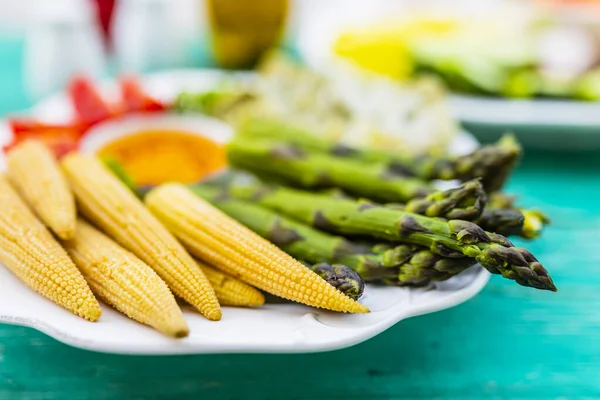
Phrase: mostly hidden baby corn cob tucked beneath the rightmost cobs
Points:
(231, 291)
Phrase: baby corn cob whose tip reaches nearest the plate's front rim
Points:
(124, 281)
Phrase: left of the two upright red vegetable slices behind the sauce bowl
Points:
(89, 105)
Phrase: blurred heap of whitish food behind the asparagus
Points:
(356, 107)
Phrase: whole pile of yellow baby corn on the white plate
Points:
(74, 233)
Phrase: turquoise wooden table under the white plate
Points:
(508, 342)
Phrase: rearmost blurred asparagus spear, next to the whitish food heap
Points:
(492, 163)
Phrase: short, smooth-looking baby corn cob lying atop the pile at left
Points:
(35, 174)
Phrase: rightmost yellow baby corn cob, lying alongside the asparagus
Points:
(221, 241)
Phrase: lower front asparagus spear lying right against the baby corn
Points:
(401, 265)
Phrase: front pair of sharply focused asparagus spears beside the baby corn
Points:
(433, 249)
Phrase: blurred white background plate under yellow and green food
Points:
(555, 124)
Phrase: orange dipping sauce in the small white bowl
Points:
(159, 156)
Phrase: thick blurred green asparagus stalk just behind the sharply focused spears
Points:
(316, 170)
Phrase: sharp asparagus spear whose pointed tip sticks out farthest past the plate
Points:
(451, 239)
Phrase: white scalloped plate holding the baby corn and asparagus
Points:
(274, 328)
